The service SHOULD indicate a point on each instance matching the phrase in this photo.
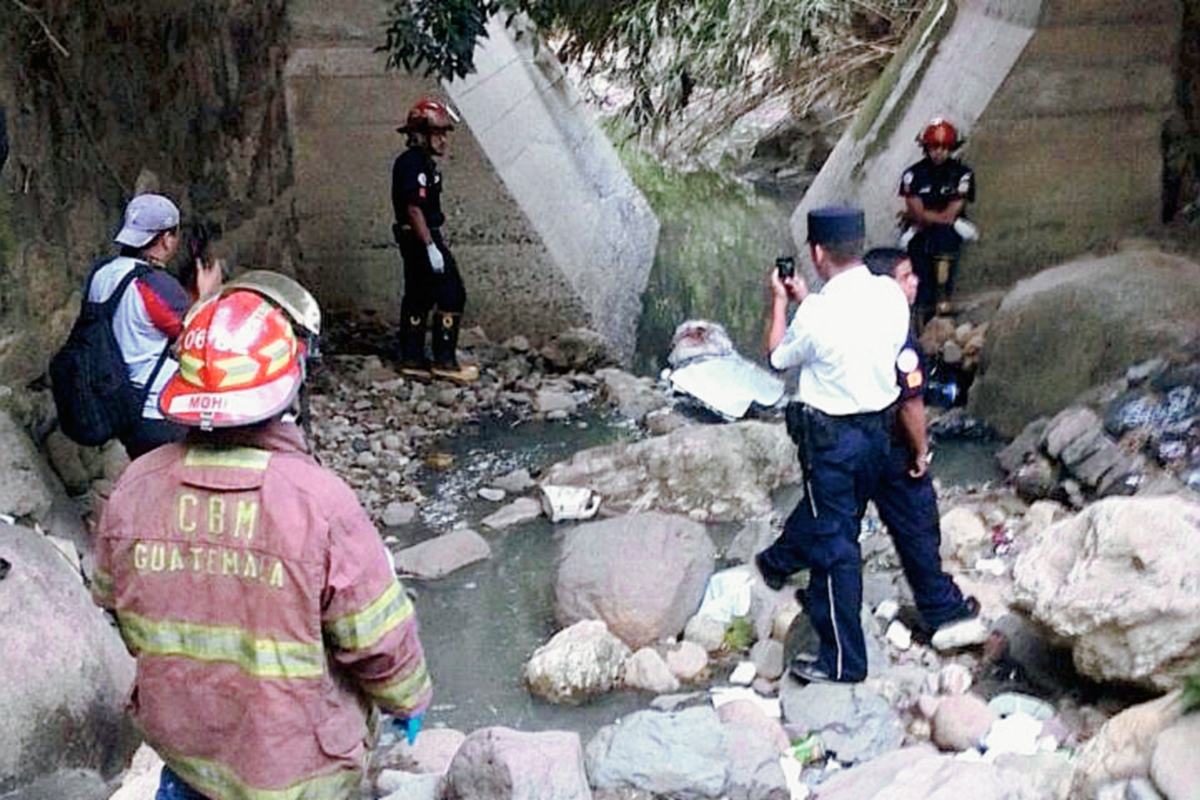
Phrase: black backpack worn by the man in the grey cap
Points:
(93, 393)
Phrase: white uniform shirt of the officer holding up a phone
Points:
(847, 339)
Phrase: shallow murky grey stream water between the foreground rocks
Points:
(482, 624)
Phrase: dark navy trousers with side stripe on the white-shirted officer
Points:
(848, 459)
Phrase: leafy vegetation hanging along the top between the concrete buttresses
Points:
(674, 56)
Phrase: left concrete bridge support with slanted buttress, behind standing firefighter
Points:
(548, 228)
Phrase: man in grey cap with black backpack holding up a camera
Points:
(134, 311)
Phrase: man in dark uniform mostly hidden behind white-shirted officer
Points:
(905, 497)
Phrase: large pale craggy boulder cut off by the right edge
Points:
(1119, 581)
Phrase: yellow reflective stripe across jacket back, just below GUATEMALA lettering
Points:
(259, 658)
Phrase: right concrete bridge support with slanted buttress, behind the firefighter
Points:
(1063, 104)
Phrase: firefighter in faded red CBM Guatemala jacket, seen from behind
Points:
(249, 582)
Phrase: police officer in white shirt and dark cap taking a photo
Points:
(845, 339)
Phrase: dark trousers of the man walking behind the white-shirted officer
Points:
(909, 508)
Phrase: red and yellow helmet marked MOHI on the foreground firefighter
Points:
(239, 363)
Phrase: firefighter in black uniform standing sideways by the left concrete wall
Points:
(431, 276)
